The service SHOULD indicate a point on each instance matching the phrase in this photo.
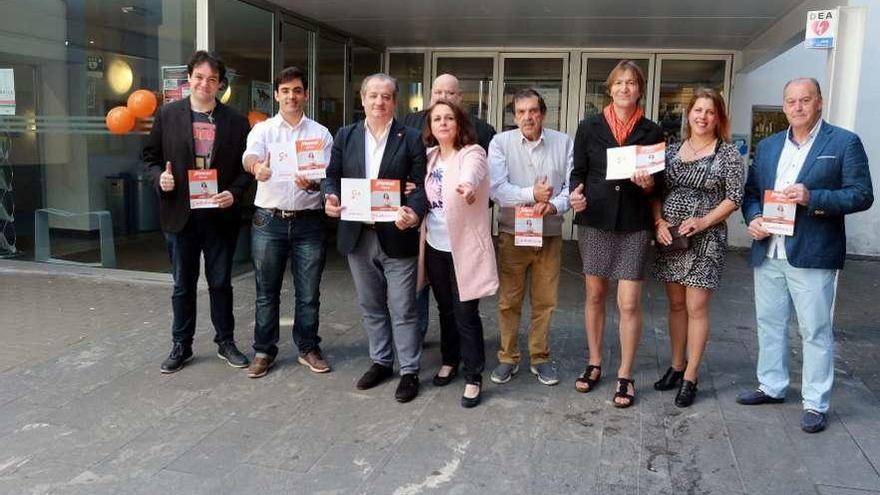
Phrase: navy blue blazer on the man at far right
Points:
(837, 175)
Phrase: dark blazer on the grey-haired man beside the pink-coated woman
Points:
(404, 159)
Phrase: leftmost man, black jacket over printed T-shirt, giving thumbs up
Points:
(199, 132)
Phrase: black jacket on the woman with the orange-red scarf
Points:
(613, 205)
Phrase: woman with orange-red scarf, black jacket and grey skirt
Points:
(614, 219)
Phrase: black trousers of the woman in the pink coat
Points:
(461, 329)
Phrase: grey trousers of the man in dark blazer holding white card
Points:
(386, 290)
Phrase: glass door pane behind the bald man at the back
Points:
(475, 78)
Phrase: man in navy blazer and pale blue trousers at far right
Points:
(824, 169)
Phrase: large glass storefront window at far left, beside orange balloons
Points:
(62, 174)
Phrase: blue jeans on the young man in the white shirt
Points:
(273, 242)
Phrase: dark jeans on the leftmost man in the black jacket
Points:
(217, 241)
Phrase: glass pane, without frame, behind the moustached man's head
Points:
(544, 75)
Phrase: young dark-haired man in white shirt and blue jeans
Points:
(287, 224)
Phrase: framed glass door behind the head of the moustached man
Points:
(546, 73)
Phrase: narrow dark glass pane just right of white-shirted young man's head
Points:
(331, 84)
